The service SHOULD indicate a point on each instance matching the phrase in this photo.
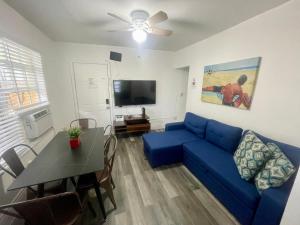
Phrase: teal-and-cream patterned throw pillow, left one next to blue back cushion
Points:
(251, 155)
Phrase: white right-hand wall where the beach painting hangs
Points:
(275, 110)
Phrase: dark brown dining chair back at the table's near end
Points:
(61, 209)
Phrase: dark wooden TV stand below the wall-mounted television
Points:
(132, 124)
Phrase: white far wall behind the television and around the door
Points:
(136, 64)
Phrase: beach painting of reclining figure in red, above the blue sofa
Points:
(231, 84)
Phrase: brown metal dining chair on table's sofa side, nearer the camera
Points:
(104, 177)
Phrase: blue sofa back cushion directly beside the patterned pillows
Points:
(224, 136)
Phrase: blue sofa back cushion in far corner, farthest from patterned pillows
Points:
(195, 124)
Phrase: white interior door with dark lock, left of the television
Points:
(92, 92)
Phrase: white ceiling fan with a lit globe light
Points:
(142, 24)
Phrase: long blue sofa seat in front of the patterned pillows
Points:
(221, 165)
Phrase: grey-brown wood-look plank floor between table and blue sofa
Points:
(168, 195)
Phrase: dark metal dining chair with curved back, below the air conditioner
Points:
(16, 167)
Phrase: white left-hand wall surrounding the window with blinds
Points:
(16, 28)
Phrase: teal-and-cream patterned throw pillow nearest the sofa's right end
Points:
(276, 171)
